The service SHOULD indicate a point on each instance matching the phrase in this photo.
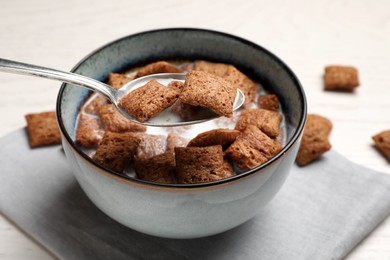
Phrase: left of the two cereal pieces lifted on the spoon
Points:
(149, 100)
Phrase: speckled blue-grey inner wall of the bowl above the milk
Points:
(188, 44)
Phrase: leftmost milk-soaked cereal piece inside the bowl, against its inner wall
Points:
(89, 131)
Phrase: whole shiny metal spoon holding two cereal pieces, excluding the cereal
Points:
(166, 118)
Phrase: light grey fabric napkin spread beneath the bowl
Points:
(322, 212)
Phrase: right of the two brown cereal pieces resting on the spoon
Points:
(207, 90)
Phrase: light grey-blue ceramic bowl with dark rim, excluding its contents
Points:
(193, 210)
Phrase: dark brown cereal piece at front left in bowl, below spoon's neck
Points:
(116, 150)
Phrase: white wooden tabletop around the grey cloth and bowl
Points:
(307, 35)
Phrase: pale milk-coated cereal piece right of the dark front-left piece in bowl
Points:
(150, 145)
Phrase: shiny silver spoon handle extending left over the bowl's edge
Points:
(38, 71)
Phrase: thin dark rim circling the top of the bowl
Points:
(131, 180)
